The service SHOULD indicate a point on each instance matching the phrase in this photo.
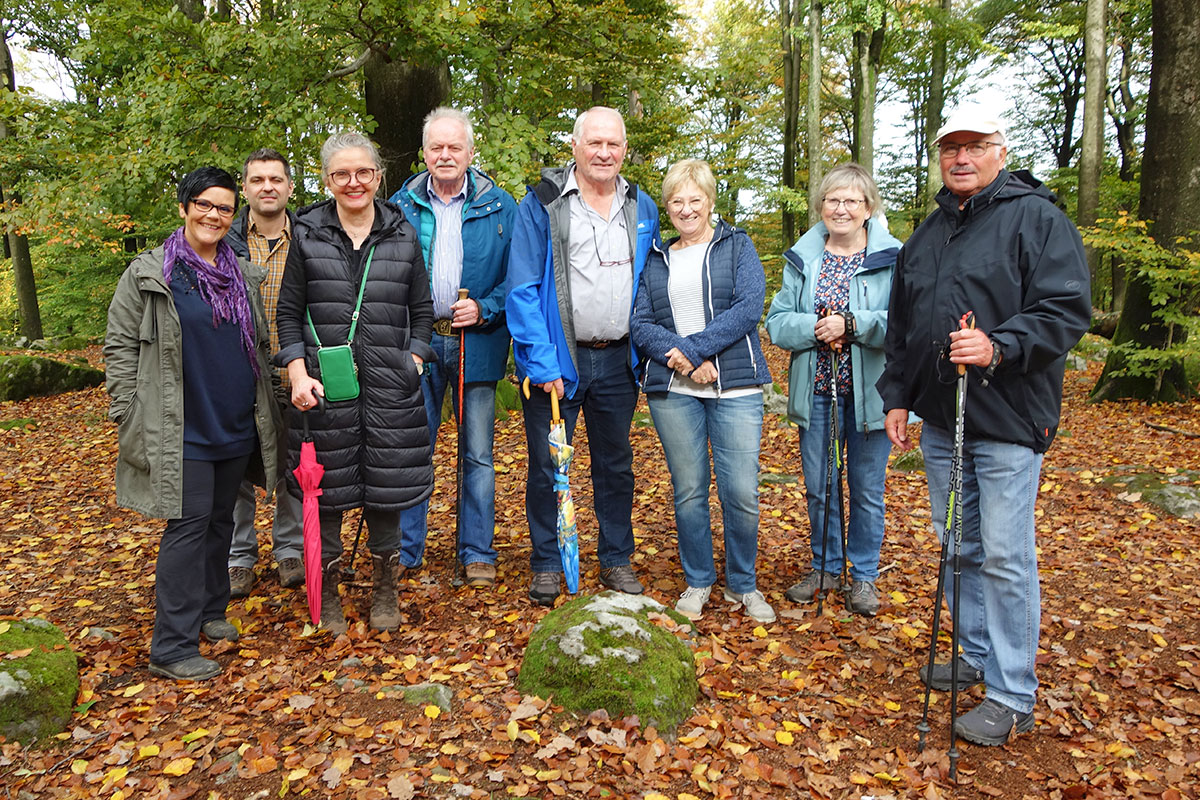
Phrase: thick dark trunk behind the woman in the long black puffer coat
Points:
(399, 95)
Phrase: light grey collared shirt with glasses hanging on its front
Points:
(602, 266)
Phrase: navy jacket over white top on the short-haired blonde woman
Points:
(735, 287)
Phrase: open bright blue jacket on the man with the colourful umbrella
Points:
(539, 303)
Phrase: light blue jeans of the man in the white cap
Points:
(1001, 599)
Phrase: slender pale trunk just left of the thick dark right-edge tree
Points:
(1091, 155)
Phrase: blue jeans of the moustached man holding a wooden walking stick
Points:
(479, 476)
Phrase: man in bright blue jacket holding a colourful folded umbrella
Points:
(581, 240)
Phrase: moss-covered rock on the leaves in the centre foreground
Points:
(604, 652)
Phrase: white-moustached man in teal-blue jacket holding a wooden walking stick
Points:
(465, 224)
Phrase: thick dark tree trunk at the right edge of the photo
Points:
(1171, 185)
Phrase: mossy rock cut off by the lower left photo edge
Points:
(38, 690)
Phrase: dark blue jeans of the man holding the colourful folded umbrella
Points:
(607, 394)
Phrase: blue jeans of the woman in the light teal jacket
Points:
(865, 464)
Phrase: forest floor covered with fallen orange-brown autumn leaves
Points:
(821, 707)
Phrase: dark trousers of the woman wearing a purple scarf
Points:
(193, 578)
